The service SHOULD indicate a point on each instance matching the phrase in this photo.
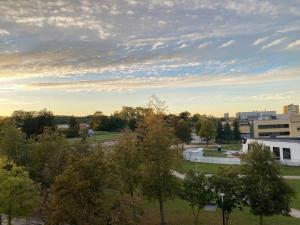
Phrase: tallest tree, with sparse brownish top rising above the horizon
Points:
(155, 142)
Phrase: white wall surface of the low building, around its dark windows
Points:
(293, 146)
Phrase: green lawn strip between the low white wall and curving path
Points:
(184, 166)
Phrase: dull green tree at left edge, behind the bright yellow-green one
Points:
(13, 144)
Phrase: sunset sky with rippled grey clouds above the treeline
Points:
(76, 57)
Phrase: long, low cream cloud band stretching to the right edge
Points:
(279, 75)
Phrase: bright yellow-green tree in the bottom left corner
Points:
(19, 196)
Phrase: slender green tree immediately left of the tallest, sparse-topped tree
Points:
(128, 162)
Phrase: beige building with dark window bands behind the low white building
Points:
(277, 128)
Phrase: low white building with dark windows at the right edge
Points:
(286, 150)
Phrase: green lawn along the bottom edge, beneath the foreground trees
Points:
(178, 212)
